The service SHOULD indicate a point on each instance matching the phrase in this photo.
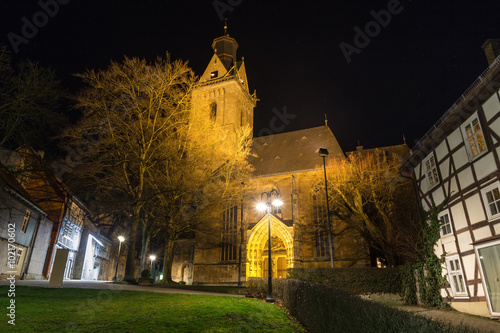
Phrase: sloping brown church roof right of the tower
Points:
(293, 151)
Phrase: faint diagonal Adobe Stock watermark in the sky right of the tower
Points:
(372, 29)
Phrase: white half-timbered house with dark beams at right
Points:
(458, 160)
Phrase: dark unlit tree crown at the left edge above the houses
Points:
(30, 96)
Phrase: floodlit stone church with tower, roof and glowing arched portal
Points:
(286, 164)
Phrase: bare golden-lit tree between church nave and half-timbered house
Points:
(368, 193)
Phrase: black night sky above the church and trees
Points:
(400, 82)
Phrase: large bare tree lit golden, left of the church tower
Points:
(130, 111)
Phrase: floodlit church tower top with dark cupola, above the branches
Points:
(223, 87)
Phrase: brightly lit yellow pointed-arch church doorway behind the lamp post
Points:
(281, 249)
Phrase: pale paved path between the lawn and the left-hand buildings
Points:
(113, 286)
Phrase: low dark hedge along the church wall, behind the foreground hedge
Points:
(354, 280)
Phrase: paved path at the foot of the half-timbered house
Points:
(482, 324)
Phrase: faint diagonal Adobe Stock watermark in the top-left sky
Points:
(30, 27)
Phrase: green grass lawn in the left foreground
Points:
(89, 310)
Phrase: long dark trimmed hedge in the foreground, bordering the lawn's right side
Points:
(323, 308)
